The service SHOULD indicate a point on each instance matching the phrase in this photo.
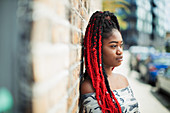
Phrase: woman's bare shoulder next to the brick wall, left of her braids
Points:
(86, 87)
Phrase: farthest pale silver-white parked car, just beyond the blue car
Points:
(138, 55)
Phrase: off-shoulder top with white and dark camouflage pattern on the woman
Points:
(124, 96)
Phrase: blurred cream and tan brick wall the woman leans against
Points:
(57, 29)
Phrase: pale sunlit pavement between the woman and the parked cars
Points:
(149, 100)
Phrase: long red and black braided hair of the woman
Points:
(99, 28)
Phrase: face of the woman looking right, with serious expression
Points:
(113, 49)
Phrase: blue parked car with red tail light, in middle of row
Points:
(150, 67)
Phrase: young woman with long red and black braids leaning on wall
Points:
(102, 91)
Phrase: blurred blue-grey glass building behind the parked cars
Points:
(146, 23)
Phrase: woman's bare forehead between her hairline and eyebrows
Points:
(116, 36)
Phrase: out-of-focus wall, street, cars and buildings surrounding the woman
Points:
(40, 52)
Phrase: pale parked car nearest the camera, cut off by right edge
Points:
(163, 80)
